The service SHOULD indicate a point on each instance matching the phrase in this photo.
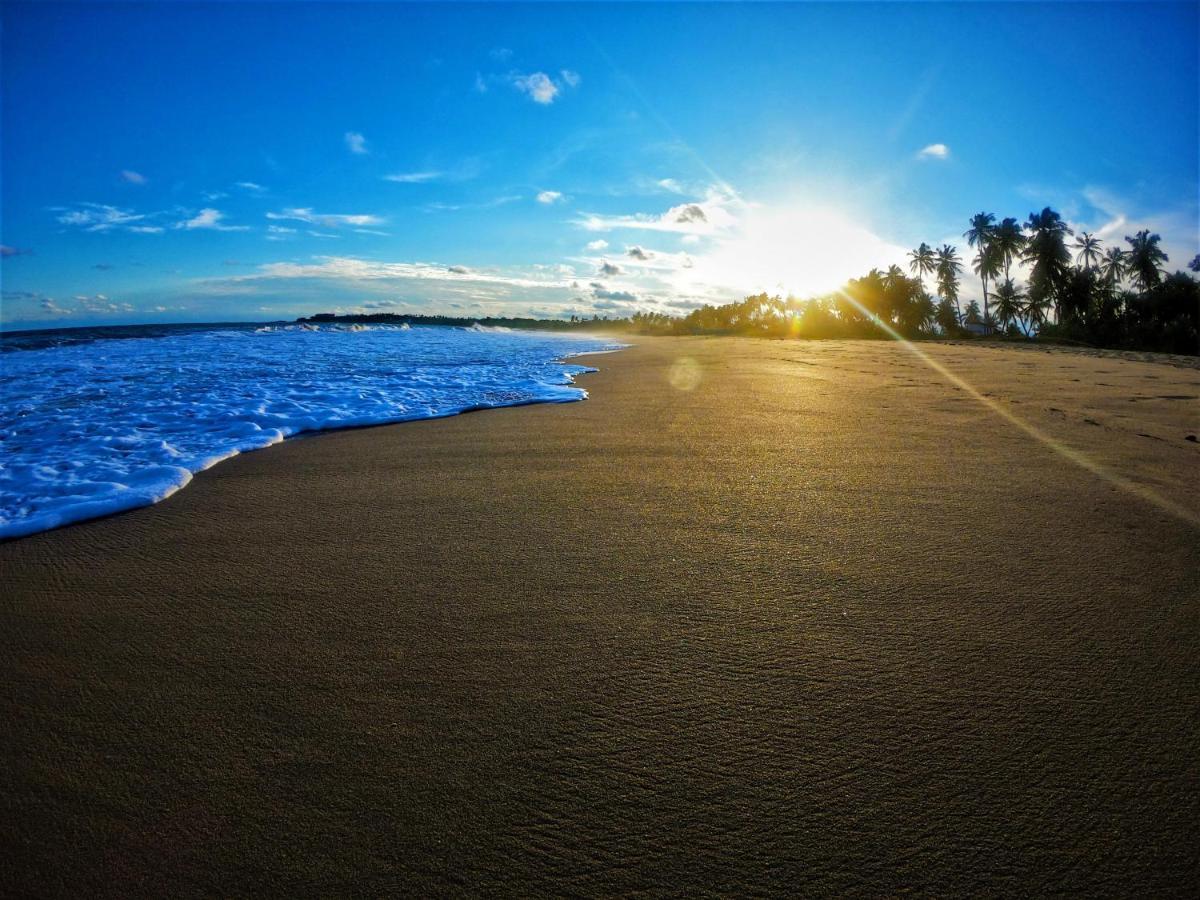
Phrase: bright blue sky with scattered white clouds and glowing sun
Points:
(215, 163)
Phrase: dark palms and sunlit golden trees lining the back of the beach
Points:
(1075, 291)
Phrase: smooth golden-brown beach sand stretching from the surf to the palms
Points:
(759, 616)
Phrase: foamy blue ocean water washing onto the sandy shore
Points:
(97, 422)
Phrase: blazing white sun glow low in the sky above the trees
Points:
(796, 250)
